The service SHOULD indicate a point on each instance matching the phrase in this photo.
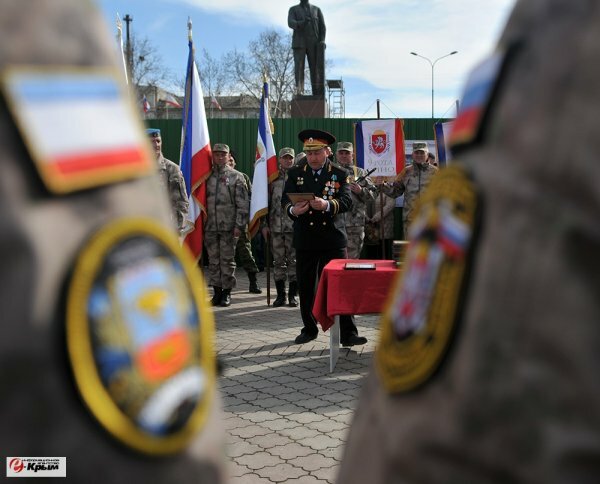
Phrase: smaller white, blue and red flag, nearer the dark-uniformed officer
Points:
(265, 166)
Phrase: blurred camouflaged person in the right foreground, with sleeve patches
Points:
(492, 376)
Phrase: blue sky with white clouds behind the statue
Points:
(368, 43)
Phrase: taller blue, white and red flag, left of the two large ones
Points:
(196, 153)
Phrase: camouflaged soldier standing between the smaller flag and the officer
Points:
(281, 232)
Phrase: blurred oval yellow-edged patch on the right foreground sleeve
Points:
(423, 308)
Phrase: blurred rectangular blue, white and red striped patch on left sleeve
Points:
(78, 125)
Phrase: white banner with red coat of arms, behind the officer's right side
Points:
(380, 146)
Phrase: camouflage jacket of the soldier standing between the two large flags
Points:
(227, 201)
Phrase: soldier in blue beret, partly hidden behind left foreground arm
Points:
(172, 180)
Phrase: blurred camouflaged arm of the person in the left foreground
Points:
(44, 409)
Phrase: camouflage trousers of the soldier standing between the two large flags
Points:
(220, 247)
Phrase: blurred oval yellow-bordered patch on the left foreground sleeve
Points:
(139, 336)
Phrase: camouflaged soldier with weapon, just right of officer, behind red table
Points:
(361, 193)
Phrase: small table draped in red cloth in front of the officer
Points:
(350, 291)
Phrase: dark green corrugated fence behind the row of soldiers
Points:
(240, 134)
